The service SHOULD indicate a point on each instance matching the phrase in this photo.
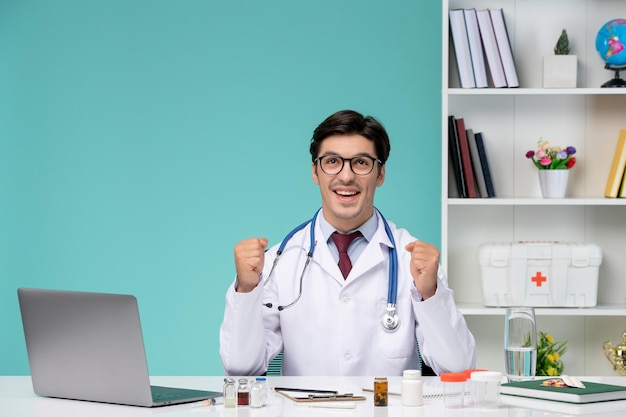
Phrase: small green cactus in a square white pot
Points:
(560, 69)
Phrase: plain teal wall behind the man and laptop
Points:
(141, 139)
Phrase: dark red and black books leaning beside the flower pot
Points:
(468, 158)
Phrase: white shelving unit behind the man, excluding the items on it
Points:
(512, 120)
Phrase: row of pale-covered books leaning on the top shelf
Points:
(482, 47)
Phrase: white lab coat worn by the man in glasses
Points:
(335, 327)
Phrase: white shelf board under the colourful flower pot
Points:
(536, 201)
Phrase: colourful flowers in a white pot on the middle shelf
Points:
(553, 163)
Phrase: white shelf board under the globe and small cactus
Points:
(534, 91)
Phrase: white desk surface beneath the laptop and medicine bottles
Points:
(18, 400)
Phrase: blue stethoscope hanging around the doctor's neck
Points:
(390, 320)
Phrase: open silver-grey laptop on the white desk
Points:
(89, 346)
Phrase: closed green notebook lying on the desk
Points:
(593, 391)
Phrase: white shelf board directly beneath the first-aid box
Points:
(471, 309)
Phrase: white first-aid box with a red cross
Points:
(540, 274)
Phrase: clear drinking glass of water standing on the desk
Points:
(520, 343)
